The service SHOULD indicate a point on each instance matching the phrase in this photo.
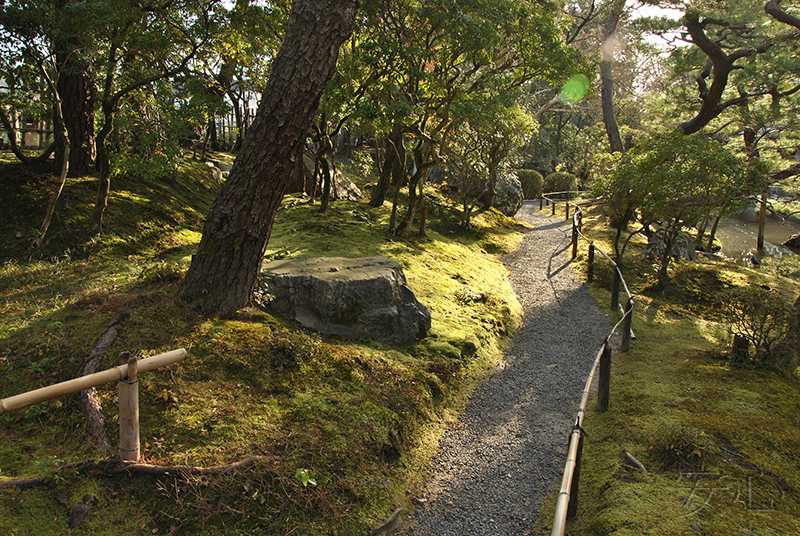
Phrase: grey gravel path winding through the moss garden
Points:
(507, 450)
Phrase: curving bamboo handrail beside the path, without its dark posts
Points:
(571, 466)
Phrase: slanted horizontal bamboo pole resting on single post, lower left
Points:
(85, 382)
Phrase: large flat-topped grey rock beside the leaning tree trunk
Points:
(367, 297)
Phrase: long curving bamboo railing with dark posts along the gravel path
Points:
(567, 502)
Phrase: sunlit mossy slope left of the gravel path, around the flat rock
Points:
(362, 418)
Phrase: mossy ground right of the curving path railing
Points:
(676, 375)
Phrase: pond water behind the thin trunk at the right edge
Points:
(739, 235)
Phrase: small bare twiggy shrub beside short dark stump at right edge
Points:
(762, 317)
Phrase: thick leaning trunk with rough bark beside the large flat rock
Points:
(224, 269)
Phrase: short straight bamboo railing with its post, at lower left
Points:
(126, 375)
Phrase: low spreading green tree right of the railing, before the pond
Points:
(672, 182)
